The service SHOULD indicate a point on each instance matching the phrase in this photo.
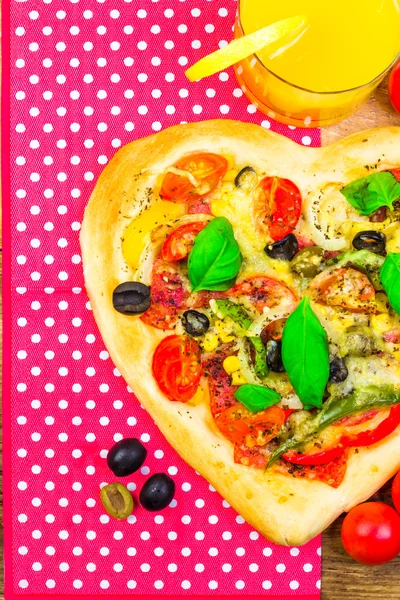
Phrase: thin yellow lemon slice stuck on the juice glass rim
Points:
(242, 47)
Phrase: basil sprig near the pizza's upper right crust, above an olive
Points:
(370, 193)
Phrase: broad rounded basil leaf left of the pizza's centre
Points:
(215, 259)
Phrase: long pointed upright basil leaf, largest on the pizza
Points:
(305, 354)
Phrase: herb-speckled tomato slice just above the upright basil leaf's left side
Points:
(263, 291)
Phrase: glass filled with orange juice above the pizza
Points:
(328, 69)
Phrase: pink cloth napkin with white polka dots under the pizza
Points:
(80, 79)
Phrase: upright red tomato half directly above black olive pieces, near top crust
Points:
(277, 206)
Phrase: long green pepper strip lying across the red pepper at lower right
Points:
(335, 409)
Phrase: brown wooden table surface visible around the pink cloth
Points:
(342, 578)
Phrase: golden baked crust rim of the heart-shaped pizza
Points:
(285, 510)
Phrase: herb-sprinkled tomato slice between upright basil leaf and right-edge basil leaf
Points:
(346, 288)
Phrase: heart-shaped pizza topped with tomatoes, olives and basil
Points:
(248, 290)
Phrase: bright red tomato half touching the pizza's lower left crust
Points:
(177, 367)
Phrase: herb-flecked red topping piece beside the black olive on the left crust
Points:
(168, 294)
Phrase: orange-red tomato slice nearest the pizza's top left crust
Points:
(207, 168)
